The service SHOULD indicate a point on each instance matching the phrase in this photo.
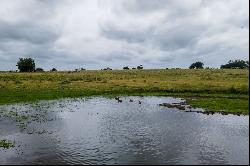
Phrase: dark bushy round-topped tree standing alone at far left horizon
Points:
(26, 65)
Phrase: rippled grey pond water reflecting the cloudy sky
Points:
(131, 130)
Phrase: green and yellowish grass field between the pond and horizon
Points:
(214, 89)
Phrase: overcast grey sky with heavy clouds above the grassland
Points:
(92, 34)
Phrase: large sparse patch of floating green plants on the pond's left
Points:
(28, 117)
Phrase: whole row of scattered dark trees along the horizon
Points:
(28, 65)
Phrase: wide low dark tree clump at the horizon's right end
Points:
(236, 64)
